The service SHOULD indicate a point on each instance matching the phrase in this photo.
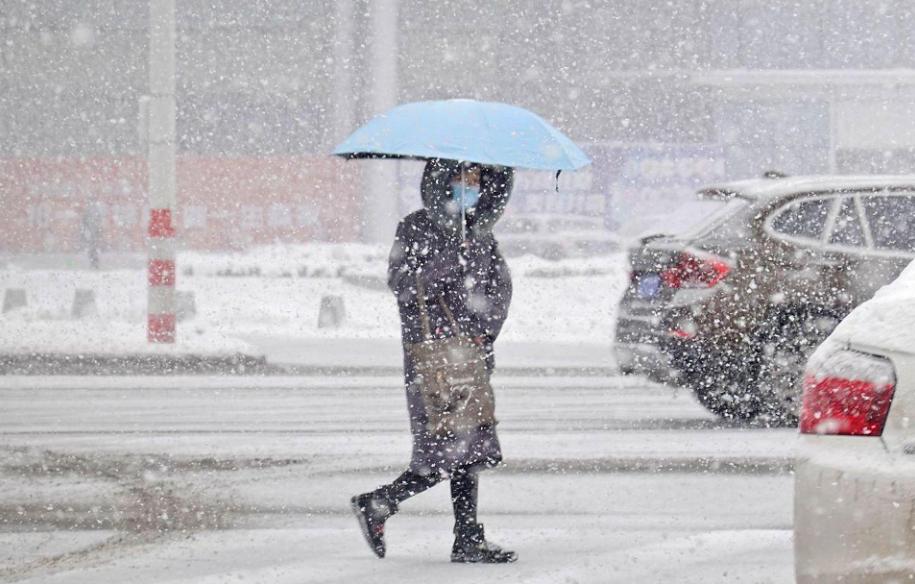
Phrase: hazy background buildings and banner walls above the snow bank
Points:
(664, 96)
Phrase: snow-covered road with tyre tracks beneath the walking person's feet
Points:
(208, 479)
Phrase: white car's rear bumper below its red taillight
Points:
(854, 511)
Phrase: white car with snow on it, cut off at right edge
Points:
(855, 480)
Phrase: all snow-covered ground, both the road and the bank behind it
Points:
(216, 479)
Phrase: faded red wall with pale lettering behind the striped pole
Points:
(223, 203)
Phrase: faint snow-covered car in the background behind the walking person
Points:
(555, 236)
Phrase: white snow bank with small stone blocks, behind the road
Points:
(268, 299)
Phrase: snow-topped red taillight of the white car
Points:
(847, 393)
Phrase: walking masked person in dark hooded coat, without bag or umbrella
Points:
(449, 279)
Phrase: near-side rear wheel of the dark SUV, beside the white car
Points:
(784, 351)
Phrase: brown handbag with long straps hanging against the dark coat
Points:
(451, 377)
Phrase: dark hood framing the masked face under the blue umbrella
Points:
(496, 184)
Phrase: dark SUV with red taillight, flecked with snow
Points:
(733, 308)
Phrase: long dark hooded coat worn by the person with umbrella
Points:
(471, 277)
